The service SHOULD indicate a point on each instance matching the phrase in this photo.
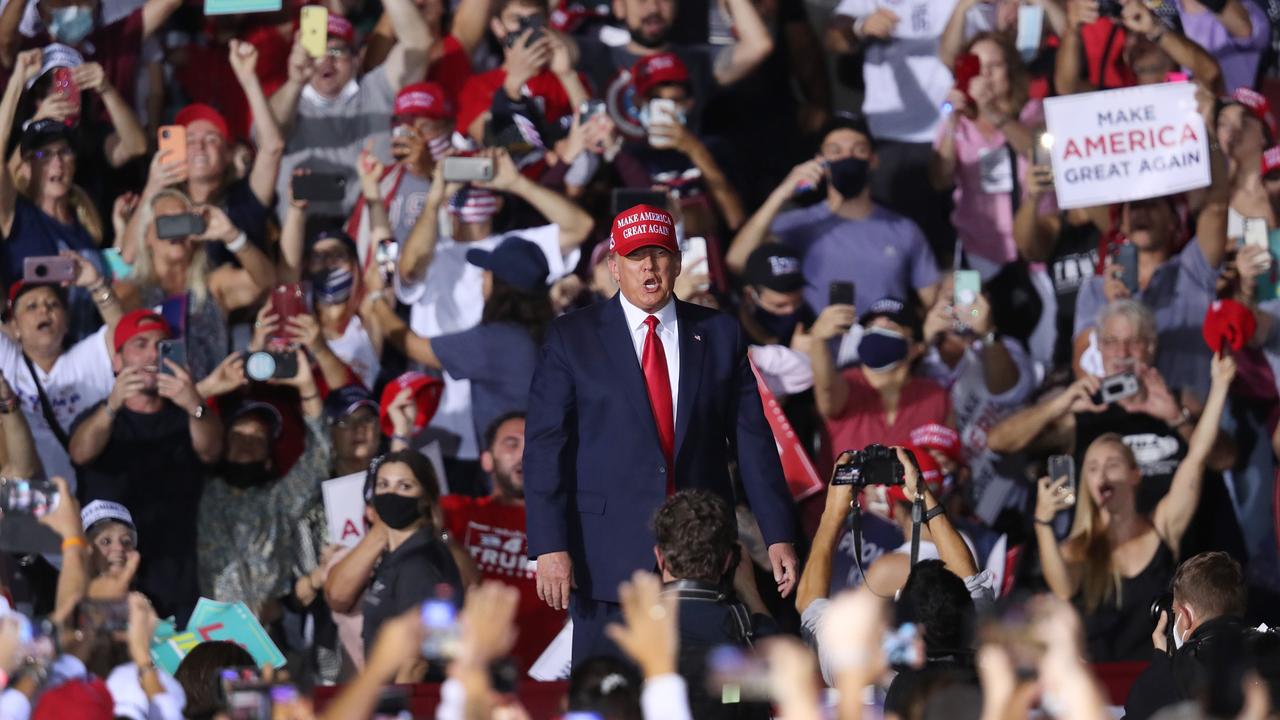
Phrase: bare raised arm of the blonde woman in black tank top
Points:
(1174, 512)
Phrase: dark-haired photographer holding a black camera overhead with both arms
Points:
(894, 467)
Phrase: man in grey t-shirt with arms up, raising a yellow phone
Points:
(328, 115)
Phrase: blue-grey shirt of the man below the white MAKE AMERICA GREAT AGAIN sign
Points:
(1180, 295)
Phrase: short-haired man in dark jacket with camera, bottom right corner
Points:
(1204, 619)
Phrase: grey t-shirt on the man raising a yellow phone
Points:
(328, 136)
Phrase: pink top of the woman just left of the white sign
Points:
(984, 215)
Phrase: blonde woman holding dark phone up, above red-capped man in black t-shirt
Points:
(173, 274)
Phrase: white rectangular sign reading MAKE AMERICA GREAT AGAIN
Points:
(1128, 144)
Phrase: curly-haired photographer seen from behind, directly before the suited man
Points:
(697, 554)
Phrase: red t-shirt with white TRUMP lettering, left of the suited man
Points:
(495, 536)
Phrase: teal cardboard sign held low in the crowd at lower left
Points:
(213, 621)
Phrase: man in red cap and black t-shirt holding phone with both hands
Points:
(147, 448)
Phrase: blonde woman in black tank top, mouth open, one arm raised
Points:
(1117, 560)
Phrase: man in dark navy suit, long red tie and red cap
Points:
(633, 399)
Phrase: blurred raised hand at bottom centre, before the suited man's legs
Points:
(651, 636)
